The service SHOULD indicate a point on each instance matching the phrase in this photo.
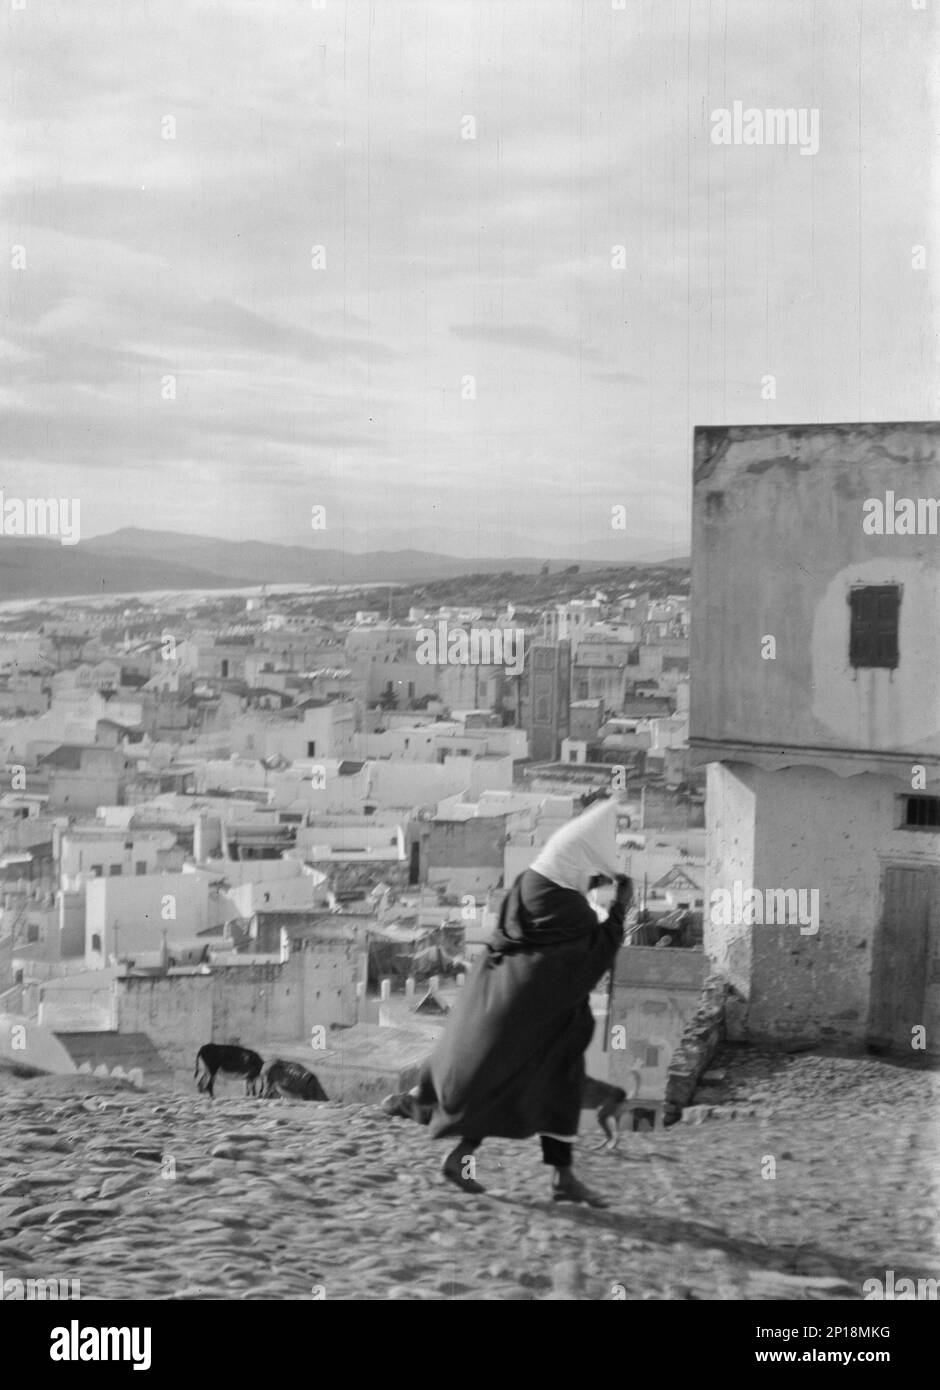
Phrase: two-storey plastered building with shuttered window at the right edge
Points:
(816, 683)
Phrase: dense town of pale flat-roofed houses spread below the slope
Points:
(254, 821)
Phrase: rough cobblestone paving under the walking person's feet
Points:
(811, 1175)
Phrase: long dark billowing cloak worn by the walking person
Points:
(511, 1061)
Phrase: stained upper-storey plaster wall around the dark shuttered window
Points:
(778, 544)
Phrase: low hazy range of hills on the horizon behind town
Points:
(134, 561)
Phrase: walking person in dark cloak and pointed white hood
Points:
(511, 1061)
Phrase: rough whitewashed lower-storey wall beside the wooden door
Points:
(814, 831)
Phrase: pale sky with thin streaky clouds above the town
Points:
(464, 273)
